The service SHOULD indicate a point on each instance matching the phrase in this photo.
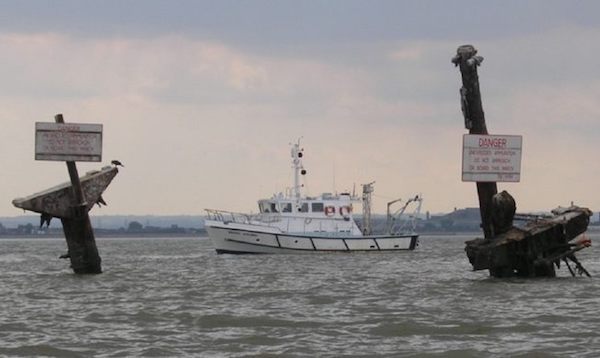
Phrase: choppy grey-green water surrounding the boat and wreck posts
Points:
(177, 297)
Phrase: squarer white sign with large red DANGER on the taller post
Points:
(492, 158)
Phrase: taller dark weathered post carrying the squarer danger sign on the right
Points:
(472, 109)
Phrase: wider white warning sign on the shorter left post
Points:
(68, 141)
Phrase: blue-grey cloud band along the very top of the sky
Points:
(264, 24)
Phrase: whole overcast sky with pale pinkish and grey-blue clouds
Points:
(200, 99)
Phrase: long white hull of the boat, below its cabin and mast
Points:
(243, 241)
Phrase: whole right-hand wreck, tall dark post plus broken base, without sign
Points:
(539, 246)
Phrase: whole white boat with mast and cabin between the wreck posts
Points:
(294, 223)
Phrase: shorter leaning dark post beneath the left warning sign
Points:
(79, 234)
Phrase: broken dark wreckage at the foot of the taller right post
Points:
(534, 249)
